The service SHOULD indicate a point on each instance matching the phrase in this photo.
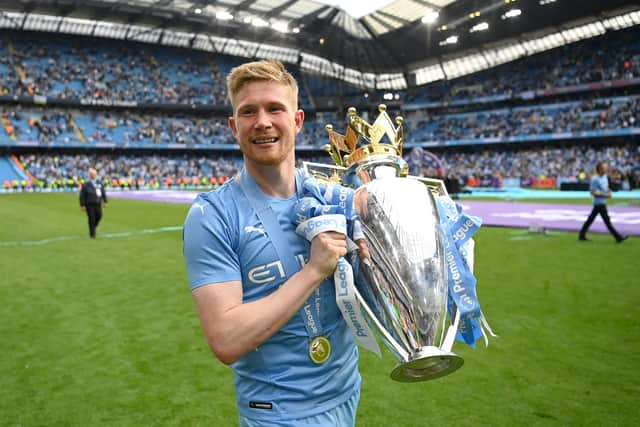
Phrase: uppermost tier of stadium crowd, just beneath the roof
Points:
(66, 67)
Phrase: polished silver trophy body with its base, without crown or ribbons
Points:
(401, 281)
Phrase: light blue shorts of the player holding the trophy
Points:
(343, 415)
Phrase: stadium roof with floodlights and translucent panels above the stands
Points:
(393, 36)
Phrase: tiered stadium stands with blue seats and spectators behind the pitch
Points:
(540, 121)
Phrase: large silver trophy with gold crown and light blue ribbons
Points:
(413, 267)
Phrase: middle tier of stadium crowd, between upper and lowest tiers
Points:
(63, 126)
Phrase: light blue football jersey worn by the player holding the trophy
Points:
(224, 240)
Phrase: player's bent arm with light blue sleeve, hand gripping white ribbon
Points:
(233, 328)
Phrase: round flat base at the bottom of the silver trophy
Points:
(427, 364)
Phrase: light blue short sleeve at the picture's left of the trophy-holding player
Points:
(208, 239)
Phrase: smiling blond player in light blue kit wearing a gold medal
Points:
(264, 296)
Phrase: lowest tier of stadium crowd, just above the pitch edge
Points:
(471, 168)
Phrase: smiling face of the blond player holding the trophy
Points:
(265, 123)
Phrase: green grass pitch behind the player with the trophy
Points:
(103, 332)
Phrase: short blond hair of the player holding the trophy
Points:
(265, 70)
